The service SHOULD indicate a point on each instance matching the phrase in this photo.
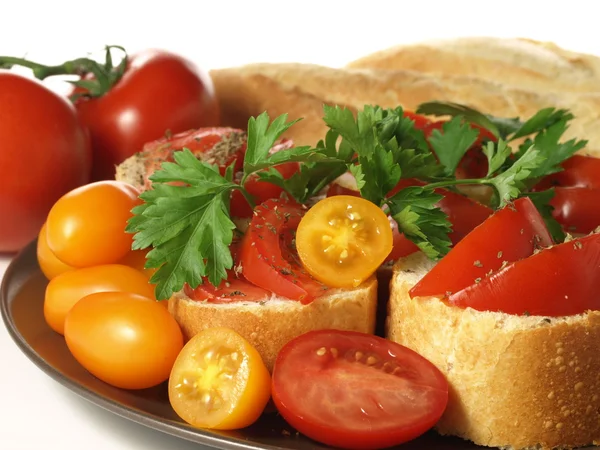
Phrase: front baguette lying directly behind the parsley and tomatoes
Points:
(301, 90)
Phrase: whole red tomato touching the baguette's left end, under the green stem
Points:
(159, 92)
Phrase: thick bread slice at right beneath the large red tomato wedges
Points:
(519, 382)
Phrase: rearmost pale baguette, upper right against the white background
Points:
(523, 63)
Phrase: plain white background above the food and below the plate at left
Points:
(35, 412)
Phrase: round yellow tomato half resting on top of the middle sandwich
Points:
(343, 239)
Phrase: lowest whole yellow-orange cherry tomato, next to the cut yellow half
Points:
(124, 339)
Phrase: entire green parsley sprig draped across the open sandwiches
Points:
(188, 226)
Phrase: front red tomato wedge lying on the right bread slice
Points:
(559, 281)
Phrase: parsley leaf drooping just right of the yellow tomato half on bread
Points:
(425, 224)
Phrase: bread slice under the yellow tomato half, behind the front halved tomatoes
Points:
(270, 325)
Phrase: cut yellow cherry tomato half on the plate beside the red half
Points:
(219, 381)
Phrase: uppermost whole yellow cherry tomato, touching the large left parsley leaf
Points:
(86, 227)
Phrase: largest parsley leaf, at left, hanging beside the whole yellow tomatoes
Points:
(188, 227)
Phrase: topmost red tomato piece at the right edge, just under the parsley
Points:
(579, 171)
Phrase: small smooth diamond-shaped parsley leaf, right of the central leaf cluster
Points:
(451, 145)
